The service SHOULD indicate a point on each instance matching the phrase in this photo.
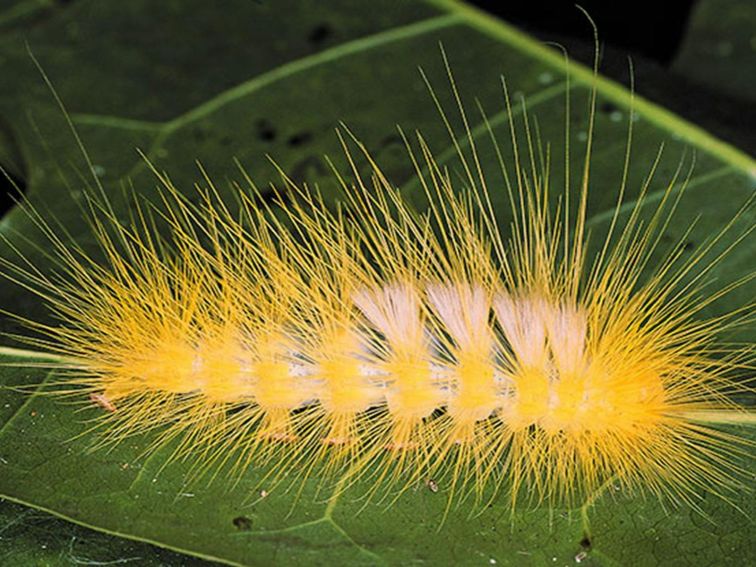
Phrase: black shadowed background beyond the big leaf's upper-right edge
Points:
(651, 33)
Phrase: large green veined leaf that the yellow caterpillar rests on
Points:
(268, 84)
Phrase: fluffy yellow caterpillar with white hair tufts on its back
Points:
(372, 341)
